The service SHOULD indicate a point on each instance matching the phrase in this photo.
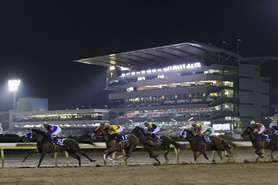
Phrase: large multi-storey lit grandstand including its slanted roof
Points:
(171, 84)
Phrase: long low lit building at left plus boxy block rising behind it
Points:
(32, 112)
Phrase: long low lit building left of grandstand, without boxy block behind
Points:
(73, 122)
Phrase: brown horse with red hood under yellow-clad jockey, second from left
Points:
(113, 146)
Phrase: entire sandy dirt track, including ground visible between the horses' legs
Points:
(186, 173)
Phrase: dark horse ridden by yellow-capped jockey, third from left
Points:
(149, 145)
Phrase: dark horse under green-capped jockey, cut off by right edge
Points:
(259, 142)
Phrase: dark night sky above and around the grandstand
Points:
(40, 39)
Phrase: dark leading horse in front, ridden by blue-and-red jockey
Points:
(71, 146)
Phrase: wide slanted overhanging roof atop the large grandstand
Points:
(187, 52)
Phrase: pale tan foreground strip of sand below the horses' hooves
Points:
(201, 174)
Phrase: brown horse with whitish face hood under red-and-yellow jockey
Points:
(215, 144)
